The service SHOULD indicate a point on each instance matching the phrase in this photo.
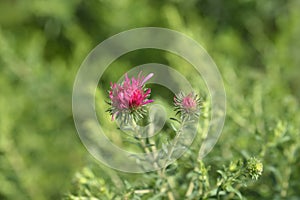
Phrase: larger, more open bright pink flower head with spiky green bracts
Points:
(130, 96)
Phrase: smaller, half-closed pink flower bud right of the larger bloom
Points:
(187, 105)
